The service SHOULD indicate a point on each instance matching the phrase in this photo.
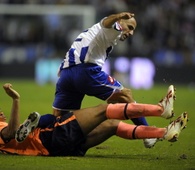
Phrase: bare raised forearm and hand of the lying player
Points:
(13, 124)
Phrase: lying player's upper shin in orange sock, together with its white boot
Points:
(133, 110)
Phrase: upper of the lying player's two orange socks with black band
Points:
(132, 110)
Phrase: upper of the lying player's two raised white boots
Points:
(167, 103)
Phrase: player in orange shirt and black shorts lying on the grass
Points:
(73, 133)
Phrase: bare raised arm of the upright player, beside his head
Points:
(110, 20)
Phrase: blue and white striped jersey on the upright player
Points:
(92, 45)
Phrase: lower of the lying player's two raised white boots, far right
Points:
(175, 127)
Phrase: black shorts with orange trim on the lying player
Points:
(64, 137)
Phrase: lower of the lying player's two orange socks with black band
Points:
(128, 131)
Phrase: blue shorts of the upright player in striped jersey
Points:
(83, 79)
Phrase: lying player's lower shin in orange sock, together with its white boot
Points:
(170, 133)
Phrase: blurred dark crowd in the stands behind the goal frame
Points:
(165, 31)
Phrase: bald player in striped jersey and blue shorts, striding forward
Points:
(81, 73)
